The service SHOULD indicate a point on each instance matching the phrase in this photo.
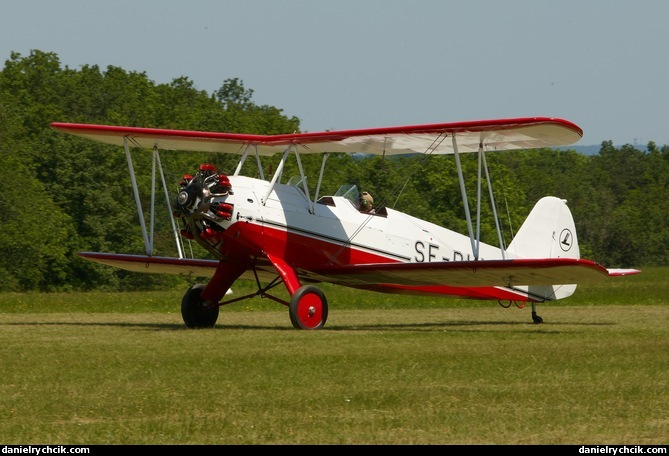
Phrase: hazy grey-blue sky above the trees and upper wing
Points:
(345, 64)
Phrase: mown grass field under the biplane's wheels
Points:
(121, 368)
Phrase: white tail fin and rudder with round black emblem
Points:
(548, 232)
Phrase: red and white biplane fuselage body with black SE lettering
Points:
(331, 232)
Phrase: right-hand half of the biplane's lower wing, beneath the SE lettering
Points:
(482, 273)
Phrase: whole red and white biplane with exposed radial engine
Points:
(285, 232)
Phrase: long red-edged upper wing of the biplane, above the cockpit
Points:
(498, 134)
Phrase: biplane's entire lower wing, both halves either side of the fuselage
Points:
(482, 273)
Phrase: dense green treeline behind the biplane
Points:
(64, 194)
